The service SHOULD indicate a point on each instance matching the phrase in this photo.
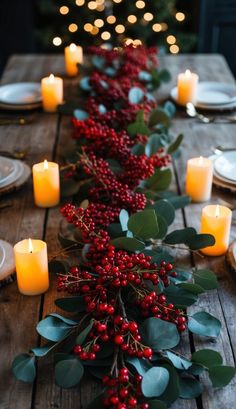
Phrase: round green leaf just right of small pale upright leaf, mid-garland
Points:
(143, 224)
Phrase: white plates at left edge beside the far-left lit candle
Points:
(21, 93)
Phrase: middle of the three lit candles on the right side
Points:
(199, 179)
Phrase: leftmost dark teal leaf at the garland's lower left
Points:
(23, 367)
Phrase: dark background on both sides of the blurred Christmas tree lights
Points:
(213, 21)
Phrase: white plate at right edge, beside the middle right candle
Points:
(225, 165)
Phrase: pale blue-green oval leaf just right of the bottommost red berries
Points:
(154, 382)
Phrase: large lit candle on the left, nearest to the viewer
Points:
(31, 266)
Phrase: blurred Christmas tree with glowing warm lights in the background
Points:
(152, 22)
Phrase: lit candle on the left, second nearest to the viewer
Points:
(46, 182)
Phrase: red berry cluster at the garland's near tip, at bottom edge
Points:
(124, 391)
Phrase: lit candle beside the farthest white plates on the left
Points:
(52, 92)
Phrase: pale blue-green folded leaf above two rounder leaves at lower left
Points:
(53, 328)
